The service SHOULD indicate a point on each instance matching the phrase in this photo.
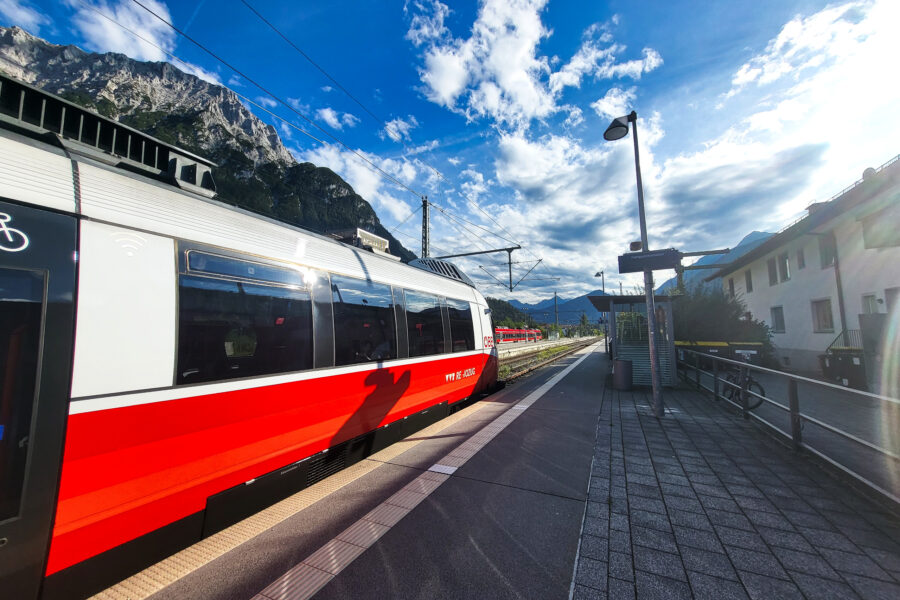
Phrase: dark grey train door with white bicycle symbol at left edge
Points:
(37, 286)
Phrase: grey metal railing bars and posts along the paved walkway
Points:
(691, 362)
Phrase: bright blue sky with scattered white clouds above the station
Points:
(748, 111)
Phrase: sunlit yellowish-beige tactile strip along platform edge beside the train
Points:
(168, 571)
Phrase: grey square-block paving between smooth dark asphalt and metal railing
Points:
(701, 504)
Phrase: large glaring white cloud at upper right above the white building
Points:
(820, 70)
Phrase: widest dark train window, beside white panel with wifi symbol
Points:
(230, 329)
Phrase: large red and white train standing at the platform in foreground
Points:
(170, 364)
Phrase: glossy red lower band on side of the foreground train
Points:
(128, 471)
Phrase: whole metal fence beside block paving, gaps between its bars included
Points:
(856, 432)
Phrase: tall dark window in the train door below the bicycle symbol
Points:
(21, 303)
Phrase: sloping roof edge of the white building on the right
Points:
(873, 182)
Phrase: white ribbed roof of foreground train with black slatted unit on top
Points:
(44, 167)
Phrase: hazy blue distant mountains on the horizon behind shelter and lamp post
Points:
(570, 311)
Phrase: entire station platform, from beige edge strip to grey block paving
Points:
(556, 487)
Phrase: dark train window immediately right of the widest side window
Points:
(363, 321)
